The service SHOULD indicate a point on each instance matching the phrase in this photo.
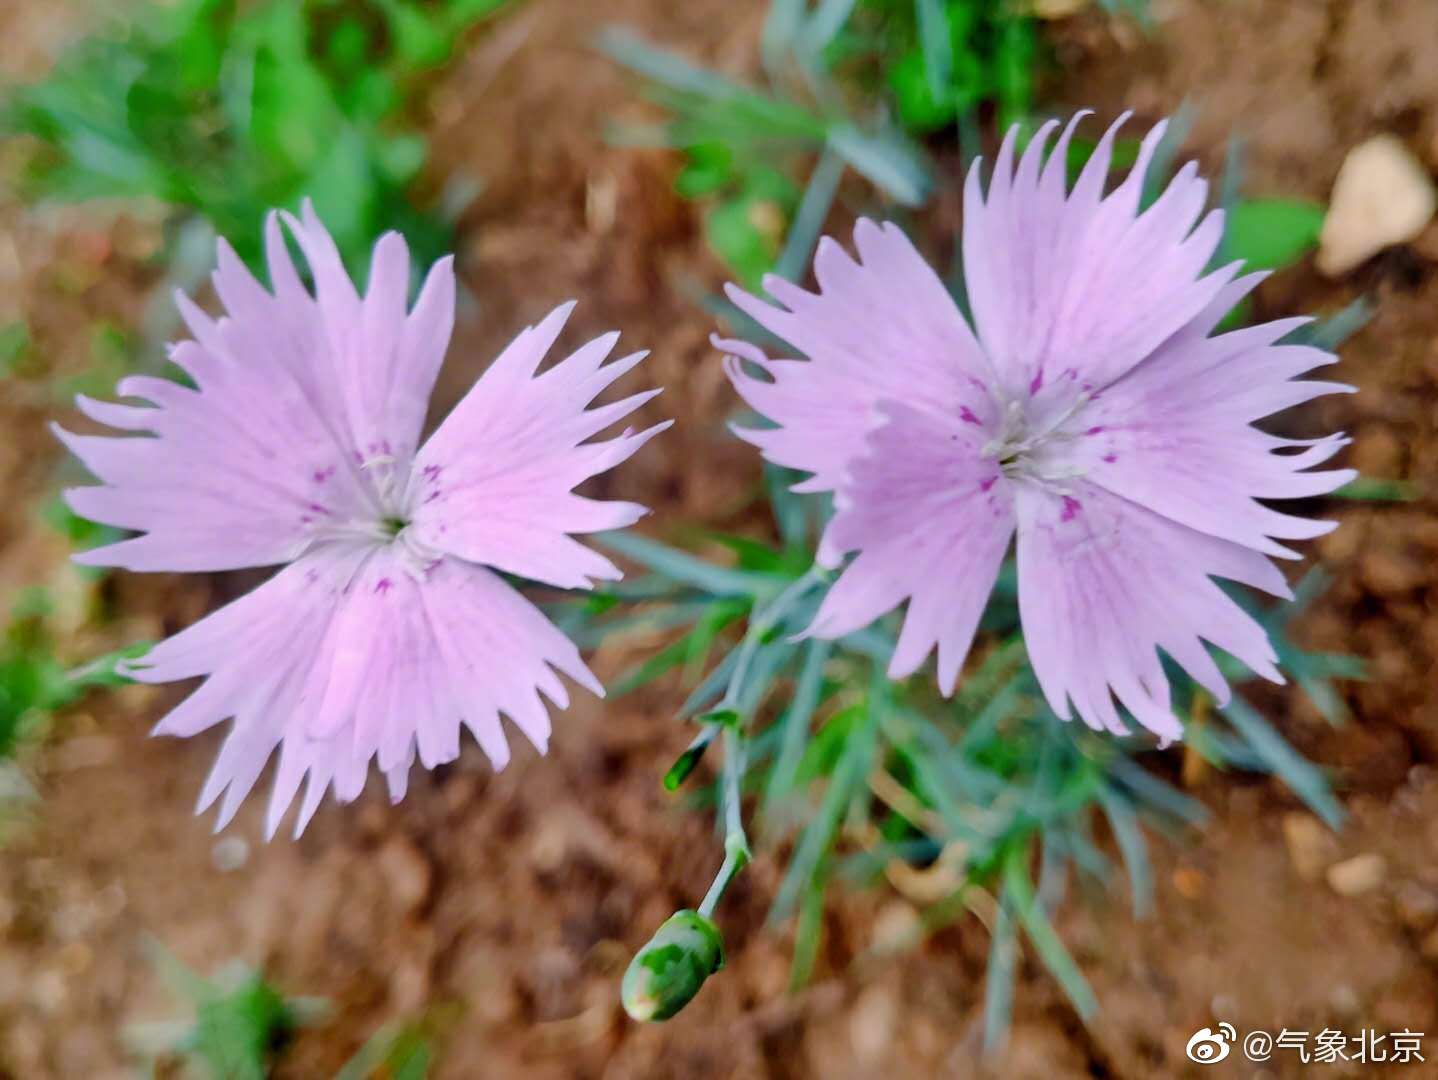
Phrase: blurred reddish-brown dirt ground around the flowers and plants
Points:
(511, 904)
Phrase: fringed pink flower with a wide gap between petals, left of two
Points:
(390, 625)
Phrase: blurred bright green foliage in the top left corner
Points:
(235, 109)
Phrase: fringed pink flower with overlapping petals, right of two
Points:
(1091, 411)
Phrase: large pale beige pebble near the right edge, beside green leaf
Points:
(1381, 198)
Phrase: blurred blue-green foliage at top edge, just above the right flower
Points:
(864, 86)
